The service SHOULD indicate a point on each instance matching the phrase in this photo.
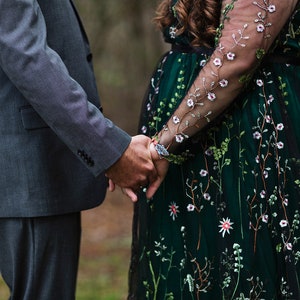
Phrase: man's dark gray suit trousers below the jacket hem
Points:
(39, 256)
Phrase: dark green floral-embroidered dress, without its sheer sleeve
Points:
(225, 223)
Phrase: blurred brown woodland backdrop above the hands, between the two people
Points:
(126, 46)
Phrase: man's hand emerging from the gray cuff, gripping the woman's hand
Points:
(135, 168)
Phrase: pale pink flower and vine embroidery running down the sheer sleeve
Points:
(239, 39)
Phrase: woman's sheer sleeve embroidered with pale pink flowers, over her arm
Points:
(247, 30)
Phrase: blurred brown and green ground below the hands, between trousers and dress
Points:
(105, 249)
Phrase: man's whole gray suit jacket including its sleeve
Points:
(54, 141)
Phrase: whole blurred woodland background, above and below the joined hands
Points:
(126, 47)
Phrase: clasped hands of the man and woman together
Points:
(140, 166)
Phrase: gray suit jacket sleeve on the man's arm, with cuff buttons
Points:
(41, 76)
